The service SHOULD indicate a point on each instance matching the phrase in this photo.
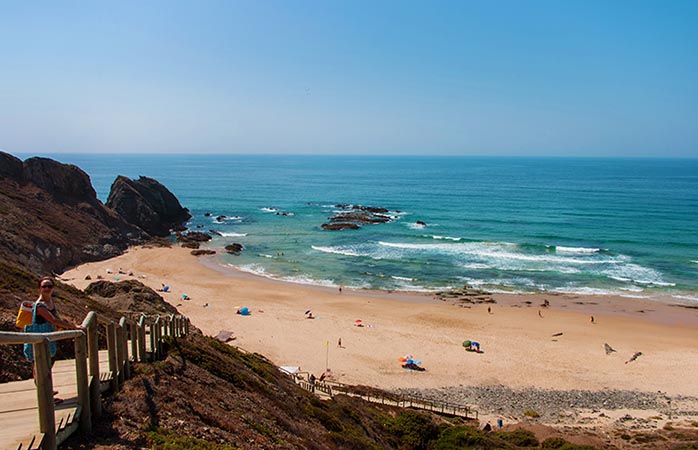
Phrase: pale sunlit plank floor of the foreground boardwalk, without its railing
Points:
(19, 409)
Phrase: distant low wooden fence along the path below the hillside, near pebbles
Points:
(331, 388)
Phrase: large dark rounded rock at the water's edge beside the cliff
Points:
(148, 204)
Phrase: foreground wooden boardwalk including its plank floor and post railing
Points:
(29, 419)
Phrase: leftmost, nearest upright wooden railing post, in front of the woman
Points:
(44, 394)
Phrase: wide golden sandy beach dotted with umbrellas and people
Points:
(519, 347)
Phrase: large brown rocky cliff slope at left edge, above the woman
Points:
(50, 217)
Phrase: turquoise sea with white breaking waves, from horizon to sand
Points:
(623, 226)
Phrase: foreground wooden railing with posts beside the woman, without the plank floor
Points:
(89, 387)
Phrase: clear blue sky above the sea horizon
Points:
(595, 78)
